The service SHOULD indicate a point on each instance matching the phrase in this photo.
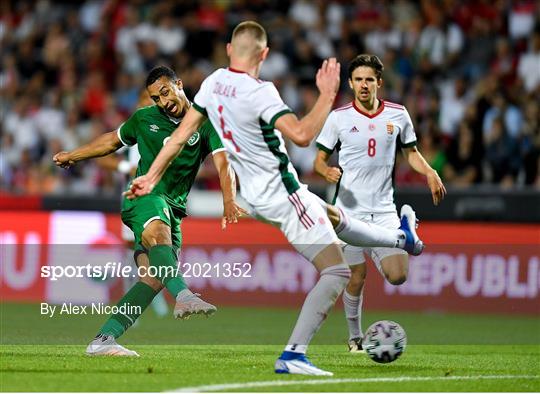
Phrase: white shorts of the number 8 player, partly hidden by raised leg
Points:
(355, 255)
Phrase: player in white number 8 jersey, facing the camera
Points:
(367, 133)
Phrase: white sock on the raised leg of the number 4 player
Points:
(358, 233)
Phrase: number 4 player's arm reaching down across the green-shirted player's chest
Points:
(144, 184)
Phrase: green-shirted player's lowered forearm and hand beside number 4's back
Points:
(227, 181)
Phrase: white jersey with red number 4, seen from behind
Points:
(243, 110)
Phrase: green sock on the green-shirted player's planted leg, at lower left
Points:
(134, 303)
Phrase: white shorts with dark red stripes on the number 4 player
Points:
(301, 218)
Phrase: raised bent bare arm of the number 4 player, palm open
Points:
(302, 131)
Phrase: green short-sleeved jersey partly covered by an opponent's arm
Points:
(150, 128)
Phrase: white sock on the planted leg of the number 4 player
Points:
(318, 303)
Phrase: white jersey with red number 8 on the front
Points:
(367, 147)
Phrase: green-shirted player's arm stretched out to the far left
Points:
(101, 146)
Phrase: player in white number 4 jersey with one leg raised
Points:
(246, 113)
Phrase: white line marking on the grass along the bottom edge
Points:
(270, 383)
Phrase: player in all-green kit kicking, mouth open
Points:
(155, 219)
